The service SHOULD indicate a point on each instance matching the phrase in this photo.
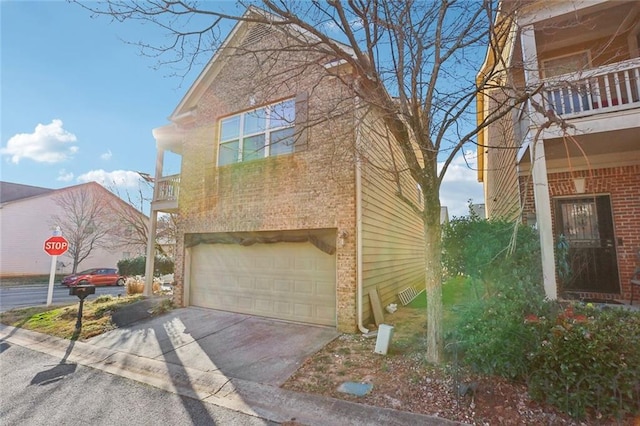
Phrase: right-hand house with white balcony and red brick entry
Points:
(568, 161)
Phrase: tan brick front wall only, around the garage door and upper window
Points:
(312, 188)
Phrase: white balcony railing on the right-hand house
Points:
(608, 88)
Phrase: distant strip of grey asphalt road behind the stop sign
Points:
(36, 295)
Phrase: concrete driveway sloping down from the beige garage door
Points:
(239, 346)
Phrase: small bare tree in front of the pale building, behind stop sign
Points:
(85, 222)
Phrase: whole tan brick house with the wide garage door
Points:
(286, 208)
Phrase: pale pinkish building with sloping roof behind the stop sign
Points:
(27, 220)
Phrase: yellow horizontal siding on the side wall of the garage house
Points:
(393, 243)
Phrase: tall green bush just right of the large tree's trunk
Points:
(490, 332)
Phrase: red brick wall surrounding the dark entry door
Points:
(622, 184)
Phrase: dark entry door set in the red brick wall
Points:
(587, 224)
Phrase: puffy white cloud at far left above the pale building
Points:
(49, 143)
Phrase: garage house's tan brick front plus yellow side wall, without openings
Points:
(312, 189)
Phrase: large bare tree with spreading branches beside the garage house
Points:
(413, 66)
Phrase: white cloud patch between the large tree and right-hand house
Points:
(460, 184)
